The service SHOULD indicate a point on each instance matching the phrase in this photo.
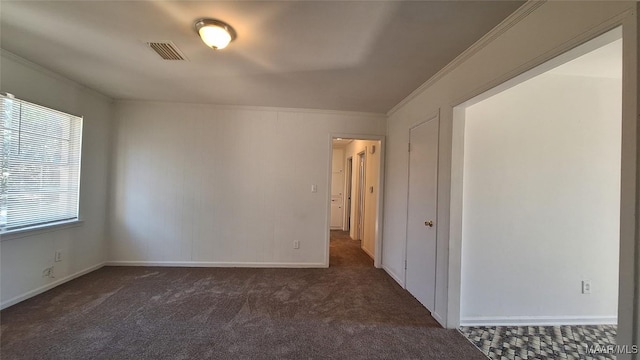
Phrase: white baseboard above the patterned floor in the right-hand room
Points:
(539, 320)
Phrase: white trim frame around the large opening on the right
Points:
(629, 273)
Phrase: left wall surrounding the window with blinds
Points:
(24, 257)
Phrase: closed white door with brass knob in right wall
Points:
(421, 225)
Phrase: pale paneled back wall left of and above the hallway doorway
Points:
(207, 185)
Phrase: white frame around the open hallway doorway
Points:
(377, 260)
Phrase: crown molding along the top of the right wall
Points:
(513, 19)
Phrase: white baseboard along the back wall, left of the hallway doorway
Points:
(216, 264)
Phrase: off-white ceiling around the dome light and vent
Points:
(351, 55)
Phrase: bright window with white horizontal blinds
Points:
(41, 149)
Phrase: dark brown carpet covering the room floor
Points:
(349, 311)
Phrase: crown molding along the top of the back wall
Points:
(262, 108)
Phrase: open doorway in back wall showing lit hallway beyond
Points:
(355, 199)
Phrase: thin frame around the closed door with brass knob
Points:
(435, 116)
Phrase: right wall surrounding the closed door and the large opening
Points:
(536, 33)
